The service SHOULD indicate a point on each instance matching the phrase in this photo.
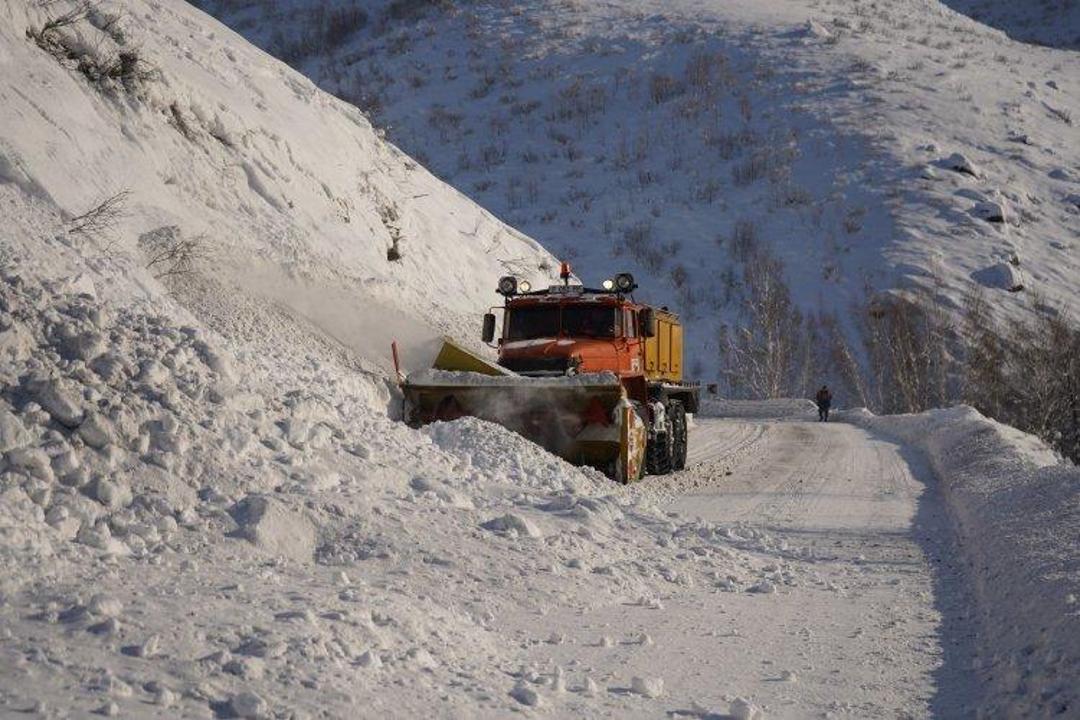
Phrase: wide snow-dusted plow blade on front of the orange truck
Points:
(587, 420)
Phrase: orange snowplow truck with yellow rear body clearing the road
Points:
(589, 374)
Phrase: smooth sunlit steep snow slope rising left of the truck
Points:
(275, 186)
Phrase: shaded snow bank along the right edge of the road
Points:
(1015, 505)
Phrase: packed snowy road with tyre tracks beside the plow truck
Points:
(856, 621)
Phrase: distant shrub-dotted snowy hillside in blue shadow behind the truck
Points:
(871, 146)
